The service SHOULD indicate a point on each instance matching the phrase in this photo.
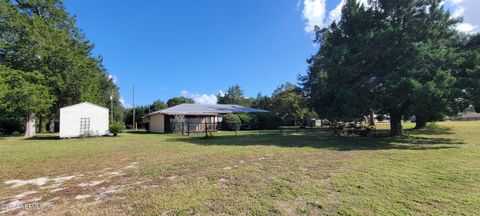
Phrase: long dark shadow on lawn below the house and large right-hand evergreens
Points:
(326, 140)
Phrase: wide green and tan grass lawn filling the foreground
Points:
(430, 172)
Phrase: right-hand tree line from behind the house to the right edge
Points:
(401, 58)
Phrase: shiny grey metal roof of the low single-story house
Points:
(207, 109)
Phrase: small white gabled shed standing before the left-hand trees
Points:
(83, 119)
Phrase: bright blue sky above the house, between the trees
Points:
(198, 48)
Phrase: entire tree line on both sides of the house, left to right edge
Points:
(398, 58)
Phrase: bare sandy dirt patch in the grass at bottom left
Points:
(87, 187)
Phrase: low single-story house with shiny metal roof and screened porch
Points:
(195, 116)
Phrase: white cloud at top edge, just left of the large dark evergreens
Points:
(314, 14)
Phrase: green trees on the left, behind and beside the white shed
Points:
(46, 63)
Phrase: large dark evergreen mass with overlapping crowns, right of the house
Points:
(390, 57)
